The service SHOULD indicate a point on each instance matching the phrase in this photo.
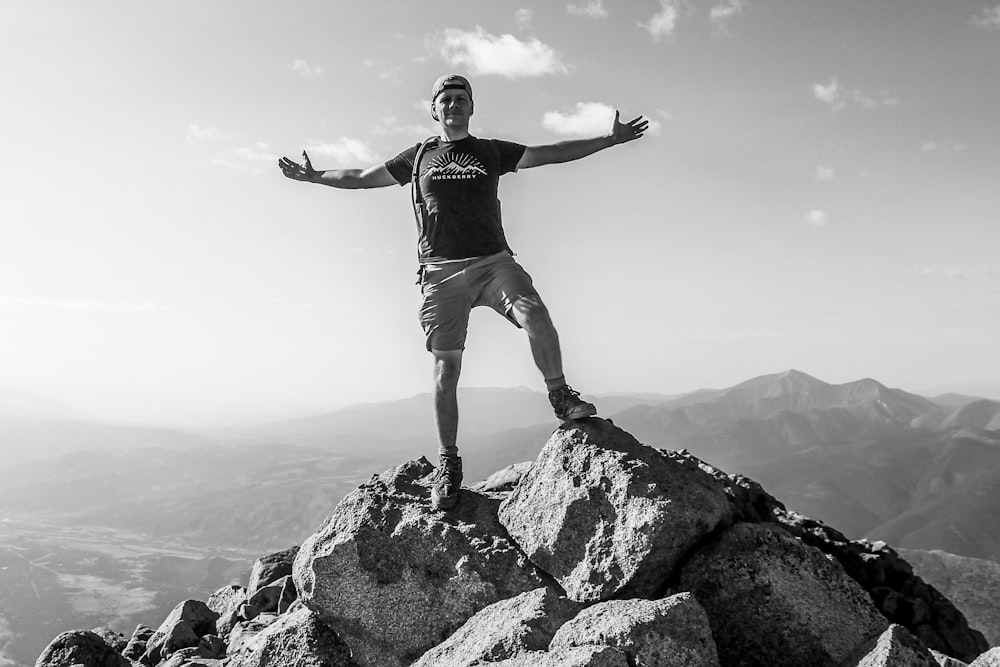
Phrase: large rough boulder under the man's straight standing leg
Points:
(394, 578)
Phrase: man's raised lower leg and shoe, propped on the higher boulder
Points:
(533, 316)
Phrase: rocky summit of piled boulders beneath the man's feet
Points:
(601, 552)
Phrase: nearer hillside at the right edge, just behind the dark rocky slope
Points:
(971, 583)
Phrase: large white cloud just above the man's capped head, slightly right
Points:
(505, 55)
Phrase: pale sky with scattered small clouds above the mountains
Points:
(818, 190)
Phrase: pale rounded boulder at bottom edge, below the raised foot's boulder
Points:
(672, 632)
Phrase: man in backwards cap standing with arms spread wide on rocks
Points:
(464, 258)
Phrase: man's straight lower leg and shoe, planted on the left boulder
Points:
(448, 481)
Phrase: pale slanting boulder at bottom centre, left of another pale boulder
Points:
(504, 629)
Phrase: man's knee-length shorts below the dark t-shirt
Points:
(451, 290)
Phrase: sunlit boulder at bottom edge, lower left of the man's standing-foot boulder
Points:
(298, 639)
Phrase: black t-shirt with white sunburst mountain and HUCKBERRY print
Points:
(458, 181)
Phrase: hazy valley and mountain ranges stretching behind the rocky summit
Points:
(112, 525)
